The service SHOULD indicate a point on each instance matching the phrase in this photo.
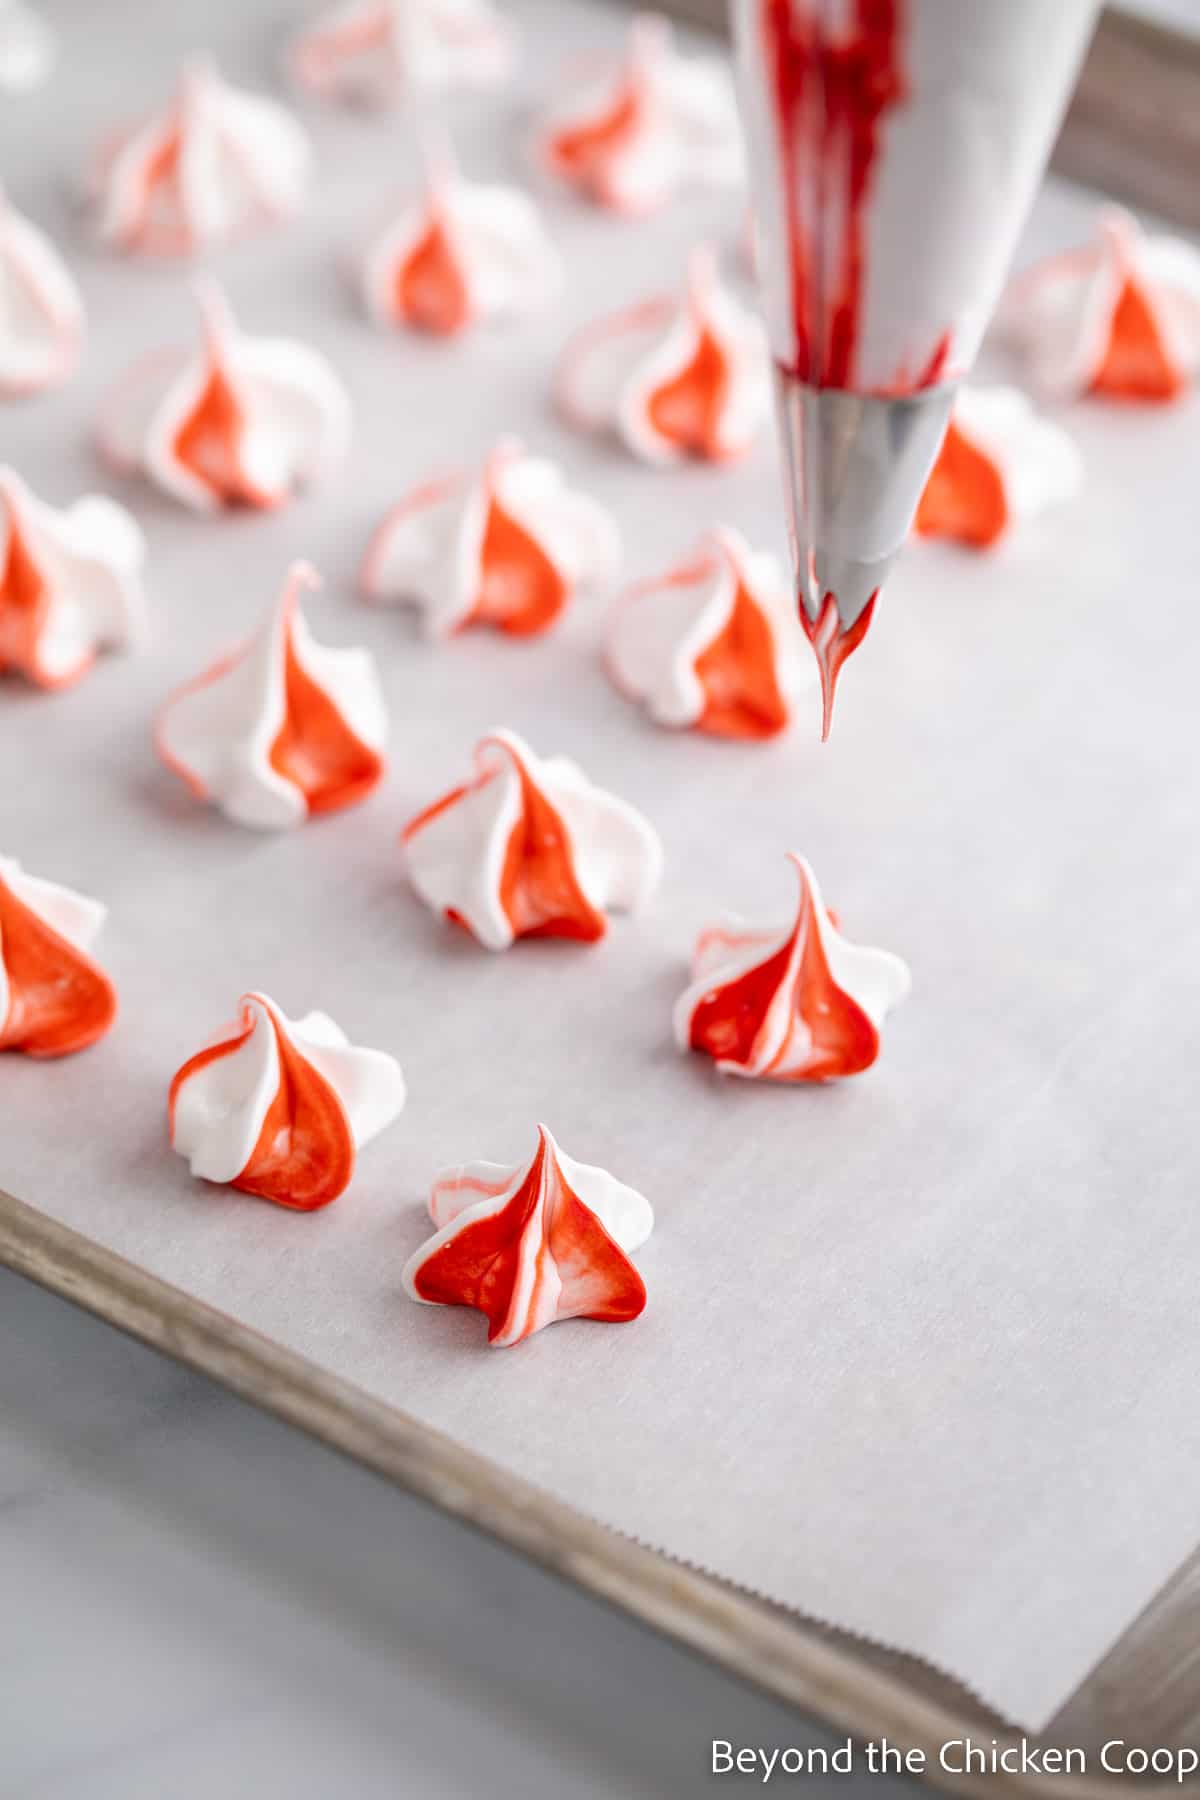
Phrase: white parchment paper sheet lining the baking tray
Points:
(922, 1351)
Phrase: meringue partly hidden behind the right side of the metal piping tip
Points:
(999, 465)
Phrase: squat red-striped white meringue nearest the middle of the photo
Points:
(528, 849)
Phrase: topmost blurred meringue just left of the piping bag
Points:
(650, 127)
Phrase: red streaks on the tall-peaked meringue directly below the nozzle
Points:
(730, 1020)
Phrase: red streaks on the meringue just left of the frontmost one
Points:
(305, 1151)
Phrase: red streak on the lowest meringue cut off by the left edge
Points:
(58, 1000)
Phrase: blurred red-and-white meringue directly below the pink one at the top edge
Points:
(465, 253)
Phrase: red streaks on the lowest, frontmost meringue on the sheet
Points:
(481, 1264)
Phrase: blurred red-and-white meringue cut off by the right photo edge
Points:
(1118, 318)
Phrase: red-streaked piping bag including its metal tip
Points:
(895, 150)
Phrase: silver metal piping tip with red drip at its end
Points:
(855, 469)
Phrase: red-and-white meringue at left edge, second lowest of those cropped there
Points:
(71, 584)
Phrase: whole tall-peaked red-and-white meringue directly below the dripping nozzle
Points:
(791, 1005)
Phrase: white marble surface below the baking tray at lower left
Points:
(197, 1601)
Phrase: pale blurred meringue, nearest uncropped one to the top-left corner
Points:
(215, 165)
